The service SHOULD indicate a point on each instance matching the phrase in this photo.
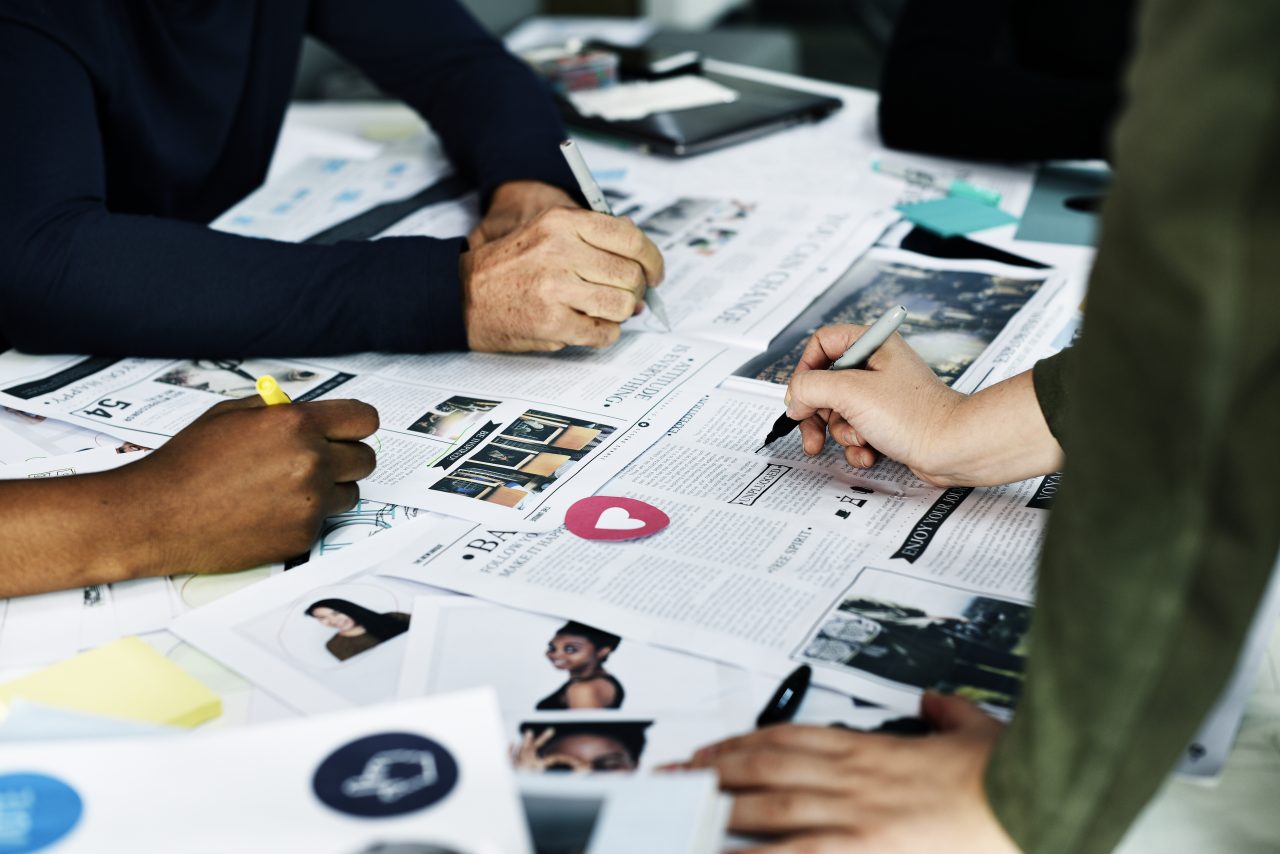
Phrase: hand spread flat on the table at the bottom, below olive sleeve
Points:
(824, 789)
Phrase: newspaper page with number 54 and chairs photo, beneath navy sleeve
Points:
(497, 439)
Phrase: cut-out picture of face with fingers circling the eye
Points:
(580, 747)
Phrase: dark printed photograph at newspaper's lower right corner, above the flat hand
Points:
(927, 636)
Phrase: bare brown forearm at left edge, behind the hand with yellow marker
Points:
(72, 532)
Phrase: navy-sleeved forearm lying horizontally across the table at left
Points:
(138, 286)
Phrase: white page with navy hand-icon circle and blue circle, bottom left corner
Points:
(432, 771)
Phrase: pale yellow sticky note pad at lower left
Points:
(125, 679)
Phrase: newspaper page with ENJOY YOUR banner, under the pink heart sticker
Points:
(767, 554)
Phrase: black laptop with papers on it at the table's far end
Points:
(758, 111)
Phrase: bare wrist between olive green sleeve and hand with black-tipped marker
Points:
(996, 436)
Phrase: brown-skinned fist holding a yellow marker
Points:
(248, 485)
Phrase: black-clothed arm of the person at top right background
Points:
(1005, 80)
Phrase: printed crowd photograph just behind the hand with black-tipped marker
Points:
(953, 314)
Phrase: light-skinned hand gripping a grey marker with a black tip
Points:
(897, 407)
